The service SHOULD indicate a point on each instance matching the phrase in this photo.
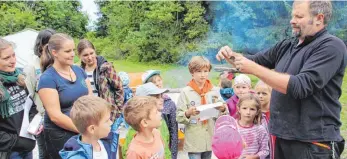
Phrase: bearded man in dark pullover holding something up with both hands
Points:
(306, 74)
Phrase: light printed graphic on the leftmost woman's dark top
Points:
(18, 97)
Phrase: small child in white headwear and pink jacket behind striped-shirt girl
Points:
(241, 87)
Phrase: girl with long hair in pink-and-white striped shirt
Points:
(254, 135)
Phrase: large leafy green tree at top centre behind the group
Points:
(152, 31)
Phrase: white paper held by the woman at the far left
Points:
(25, 123)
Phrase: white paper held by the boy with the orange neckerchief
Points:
(208, 111)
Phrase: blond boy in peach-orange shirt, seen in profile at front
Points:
(142, 114)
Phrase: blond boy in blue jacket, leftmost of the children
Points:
(91, 116)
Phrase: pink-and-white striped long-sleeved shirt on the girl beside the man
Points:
(257, 140)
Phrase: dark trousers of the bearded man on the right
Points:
(290, 149)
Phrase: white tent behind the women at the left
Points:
(24, 42)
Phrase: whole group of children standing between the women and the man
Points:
(154, 117)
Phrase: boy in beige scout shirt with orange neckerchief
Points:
(200, 91)
